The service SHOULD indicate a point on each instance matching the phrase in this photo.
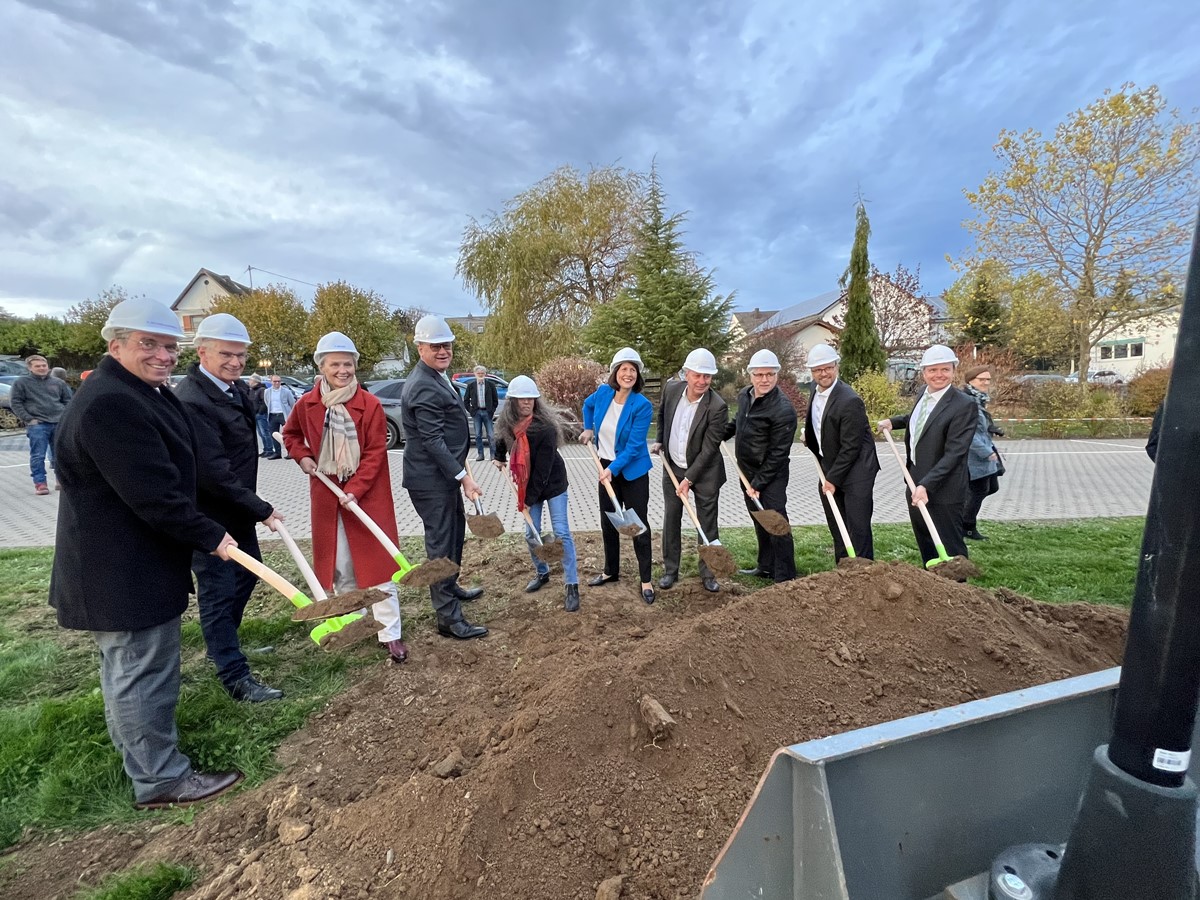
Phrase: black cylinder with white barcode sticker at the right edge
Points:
(1157, 698)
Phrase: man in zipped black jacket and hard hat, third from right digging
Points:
(765, 430)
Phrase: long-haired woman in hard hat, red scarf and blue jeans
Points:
(529, 434)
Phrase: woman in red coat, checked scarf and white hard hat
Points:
(340, 429)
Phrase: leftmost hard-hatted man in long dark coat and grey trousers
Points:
(128, 527)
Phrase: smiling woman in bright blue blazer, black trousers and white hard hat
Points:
(617, 421)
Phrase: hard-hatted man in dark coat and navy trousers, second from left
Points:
(220, 407)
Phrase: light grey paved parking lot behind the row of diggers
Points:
(1046, 481)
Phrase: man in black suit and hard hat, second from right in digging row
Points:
(838, 433)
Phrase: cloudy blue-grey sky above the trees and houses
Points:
(355, 139)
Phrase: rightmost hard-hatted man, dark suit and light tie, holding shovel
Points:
(938, 440)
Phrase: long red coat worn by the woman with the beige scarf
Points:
(371, 485)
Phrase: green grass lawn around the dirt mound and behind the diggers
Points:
(59, 770)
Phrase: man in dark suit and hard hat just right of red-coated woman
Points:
(435, 467)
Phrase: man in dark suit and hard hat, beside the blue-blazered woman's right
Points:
(693, 419)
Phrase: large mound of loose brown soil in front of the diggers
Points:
(520, 766)
